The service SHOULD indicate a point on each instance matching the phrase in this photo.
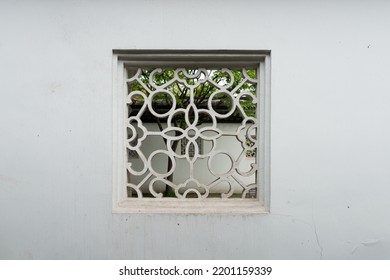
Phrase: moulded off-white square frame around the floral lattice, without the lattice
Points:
(187, 58)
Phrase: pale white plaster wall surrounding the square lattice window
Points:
(330, 129)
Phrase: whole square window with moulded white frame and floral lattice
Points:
(191, 131)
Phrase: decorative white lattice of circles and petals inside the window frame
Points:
(191, 98)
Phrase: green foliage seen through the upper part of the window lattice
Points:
(201, 93)
